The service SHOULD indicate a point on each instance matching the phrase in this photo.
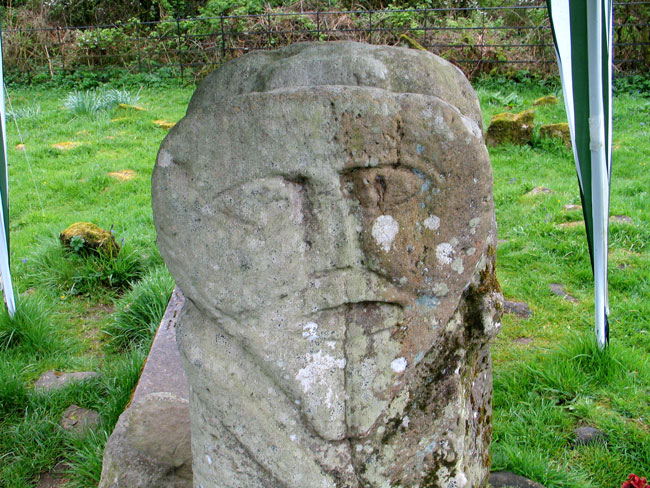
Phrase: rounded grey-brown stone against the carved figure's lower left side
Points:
(150, 446)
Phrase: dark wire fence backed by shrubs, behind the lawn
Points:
(478, 40)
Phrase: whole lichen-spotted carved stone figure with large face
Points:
(327, 211)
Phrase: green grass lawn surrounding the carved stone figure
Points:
(78, 313)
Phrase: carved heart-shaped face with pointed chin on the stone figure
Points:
(331, 246)
